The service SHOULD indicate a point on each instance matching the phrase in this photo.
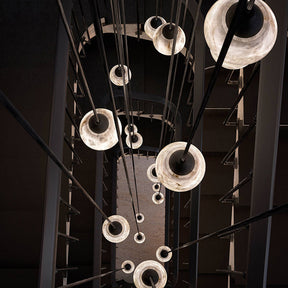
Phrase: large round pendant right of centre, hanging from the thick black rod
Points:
(180, 182)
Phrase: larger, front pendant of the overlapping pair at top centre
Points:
(164, 45)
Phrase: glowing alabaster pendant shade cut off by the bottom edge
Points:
(150, 269)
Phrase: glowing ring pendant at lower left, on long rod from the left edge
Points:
(122, 229)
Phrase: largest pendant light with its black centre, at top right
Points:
(254, 38)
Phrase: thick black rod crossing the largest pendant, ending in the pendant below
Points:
(229, 36)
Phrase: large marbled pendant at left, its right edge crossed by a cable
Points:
(103, 138)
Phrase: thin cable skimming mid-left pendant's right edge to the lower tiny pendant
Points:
(100, 42)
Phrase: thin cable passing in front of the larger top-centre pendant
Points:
(170, 74)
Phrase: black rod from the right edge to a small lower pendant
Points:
(231, 229)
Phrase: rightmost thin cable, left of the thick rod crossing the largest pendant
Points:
(188, 53)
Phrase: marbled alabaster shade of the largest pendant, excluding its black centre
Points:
(243, 50)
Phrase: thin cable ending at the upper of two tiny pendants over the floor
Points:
(130, 106)
